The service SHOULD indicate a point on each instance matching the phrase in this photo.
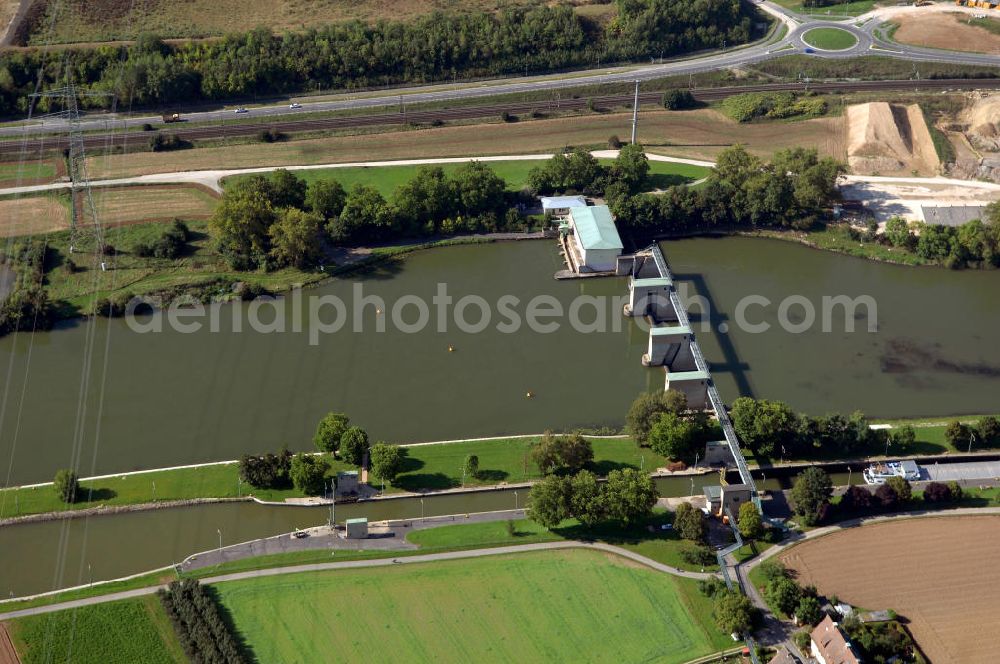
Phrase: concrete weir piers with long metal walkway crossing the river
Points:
(672, 343)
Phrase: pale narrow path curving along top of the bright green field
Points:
(362, 564)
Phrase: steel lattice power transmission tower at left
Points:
(84, 222)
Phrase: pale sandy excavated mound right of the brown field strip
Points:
(888, 139)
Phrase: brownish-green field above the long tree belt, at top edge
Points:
(104, 20)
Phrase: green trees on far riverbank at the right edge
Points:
(973, 244)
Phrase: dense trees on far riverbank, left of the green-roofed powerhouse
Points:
(279, 221)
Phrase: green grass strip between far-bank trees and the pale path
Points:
(515, 173)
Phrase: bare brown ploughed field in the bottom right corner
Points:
(939, 573)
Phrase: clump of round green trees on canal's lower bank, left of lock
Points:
(625, 498)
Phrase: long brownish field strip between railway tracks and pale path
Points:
(697, 134)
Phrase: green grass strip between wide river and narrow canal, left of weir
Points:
(427, 467)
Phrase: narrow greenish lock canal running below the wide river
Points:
(59, 554)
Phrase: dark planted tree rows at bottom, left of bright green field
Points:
(200, 628)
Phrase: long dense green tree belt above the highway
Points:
(440, 46)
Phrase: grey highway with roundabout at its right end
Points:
(869, 42)
